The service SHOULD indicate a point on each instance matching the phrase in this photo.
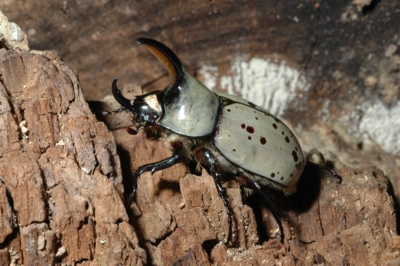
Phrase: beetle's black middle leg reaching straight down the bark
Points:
(221, 191)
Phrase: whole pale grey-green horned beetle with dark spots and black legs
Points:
(227, 135)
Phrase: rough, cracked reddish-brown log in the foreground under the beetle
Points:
(62, 193)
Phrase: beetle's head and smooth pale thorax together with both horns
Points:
(185, 106)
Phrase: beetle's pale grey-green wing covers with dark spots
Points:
(259, 143)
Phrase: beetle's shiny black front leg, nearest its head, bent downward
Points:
(153, 167)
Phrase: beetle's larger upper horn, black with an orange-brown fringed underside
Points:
(168, 58)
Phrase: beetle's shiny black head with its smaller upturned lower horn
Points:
(146, 108)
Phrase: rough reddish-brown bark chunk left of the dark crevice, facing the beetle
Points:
(60, 179)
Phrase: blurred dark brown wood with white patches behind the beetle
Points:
(331, 68)
